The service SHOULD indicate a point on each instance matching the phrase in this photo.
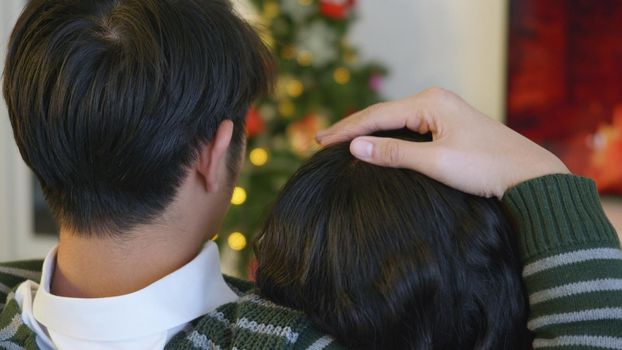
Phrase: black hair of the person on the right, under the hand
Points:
(390, 259)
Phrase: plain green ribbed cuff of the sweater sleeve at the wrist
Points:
(558, 213)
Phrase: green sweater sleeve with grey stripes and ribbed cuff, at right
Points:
(572, 263)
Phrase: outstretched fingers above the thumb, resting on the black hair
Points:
(383, 116)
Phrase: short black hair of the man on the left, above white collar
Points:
(110, 100)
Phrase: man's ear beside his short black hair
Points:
(213, 156)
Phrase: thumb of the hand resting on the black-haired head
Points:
(394, 153)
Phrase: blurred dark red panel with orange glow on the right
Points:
(565, 83)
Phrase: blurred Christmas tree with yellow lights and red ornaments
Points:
(320, 80)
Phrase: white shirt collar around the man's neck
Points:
(188, 293)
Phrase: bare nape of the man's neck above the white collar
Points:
(89, 267)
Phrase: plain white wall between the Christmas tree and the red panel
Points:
(455, 44)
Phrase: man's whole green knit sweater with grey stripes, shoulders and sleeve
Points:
(572, 270)
